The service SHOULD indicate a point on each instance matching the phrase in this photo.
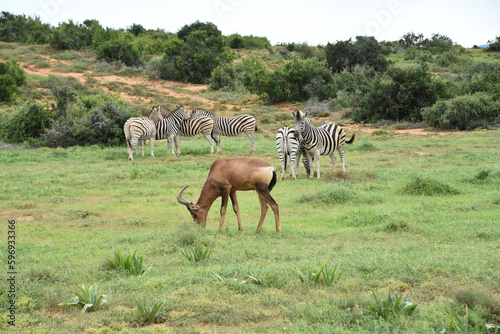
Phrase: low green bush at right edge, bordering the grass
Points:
(463, 112)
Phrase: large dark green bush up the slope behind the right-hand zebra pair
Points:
(400, 96)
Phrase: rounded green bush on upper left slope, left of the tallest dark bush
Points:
(122, 49)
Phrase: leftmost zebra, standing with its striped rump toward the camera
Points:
(140, 128)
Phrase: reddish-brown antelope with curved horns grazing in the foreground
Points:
(228, 176)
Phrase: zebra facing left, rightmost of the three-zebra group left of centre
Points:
(230, 126)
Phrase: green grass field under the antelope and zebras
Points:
(417, 215)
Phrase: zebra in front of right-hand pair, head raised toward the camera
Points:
(323, 140)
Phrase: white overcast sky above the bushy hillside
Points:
(314, 21)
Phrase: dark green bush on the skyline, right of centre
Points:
(364, 51)
